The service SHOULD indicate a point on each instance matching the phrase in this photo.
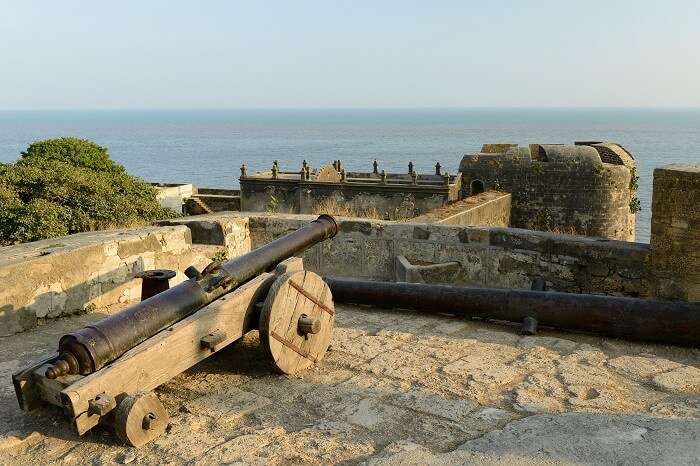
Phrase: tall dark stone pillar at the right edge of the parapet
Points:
(675, 231)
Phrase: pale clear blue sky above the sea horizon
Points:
(345, 54)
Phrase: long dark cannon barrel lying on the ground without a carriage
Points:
(655, 321)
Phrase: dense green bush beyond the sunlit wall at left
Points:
(68, 185)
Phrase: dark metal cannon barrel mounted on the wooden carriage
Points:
(94, 346)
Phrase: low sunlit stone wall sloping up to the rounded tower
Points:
(491, 208)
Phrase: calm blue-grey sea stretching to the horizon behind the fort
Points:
(207, 147)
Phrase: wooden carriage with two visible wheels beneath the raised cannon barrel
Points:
(292, 308)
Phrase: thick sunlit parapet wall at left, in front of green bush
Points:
(87, 271)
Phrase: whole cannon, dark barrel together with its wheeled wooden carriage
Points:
(105, 373)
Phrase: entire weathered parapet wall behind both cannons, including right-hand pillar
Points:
(94, 271)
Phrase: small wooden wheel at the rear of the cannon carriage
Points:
(140, 418)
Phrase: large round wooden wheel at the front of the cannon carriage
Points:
(296, 321)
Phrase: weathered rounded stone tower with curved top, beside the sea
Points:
(582, 189)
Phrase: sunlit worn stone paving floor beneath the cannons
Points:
(396, 388)
